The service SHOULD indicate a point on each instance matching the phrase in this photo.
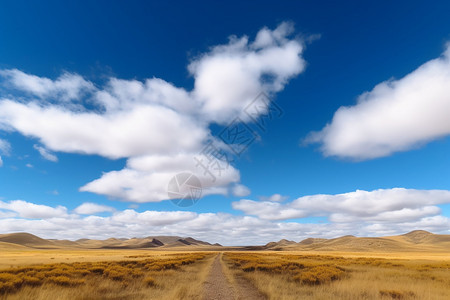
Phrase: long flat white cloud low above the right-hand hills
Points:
(384, 205)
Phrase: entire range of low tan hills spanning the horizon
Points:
(418, 240)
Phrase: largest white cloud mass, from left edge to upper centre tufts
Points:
(158, 127)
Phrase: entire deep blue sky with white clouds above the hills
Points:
(102, 103)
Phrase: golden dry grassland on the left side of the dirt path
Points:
(162, 276)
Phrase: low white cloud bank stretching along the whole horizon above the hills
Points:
(228, 229)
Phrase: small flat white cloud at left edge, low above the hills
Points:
(34, 211)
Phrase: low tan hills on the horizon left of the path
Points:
(21, 240)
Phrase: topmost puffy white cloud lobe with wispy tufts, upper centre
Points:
(230, 76)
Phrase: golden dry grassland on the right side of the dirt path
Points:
(292, 276)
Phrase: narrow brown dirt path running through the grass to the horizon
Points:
(217, 287)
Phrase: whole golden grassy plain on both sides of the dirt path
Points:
(159, 274)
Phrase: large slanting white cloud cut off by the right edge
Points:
(396, 115)
